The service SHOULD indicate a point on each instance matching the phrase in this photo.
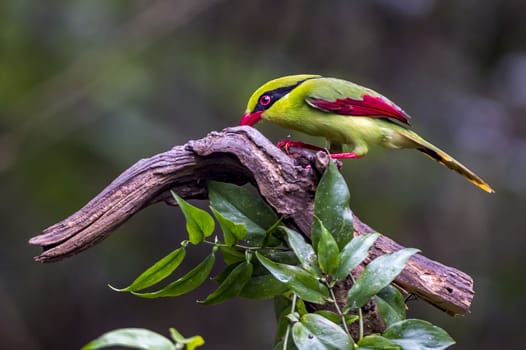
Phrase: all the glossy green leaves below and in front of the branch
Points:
(264, 259)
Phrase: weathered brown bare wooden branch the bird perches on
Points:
(238, 155)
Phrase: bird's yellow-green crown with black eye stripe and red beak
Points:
(270, 92)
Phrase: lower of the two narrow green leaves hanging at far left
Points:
(185, 284)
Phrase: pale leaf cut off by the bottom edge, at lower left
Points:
(136, 338)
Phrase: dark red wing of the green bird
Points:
(368, 106)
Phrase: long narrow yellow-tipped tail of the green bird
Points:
(445, 159)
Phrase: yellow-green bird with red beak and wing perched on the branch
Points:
(344, 113)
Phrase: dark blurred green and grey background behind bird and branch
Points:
(89, 87)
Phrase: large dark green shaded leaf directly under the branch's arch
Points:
(242, 207)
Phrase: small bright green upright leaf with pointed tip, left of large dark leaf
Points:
(199, 223)
